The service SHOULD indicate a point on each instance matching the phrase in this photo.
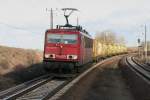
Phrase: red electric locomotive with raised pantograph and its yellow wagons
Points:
(71, 46)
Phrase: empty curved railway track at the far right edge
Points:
(141, 70)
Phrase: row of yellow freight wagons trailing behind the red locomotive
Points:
(103, 50)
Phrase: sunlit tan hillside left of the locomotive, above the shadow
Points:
(16, 58)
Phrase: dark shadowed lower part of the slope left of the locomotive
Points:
(20, 75)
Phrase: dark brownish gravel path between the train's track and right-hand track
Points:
(104, 83)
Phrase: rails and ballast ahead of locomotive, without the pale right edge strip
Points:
(38, 89)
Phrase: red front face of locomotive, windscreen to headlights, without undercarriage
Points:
(61, 46)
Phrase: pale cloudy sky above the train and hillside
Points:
(23, 22)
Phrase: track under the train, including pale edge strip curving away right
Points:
(44, 87)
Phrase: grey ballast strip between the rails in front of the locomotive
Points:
(45, 91)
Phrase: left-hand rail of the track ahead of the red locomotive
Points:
(18, 91)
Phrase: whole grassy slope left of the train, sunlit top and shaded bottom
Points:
(19, 65)
